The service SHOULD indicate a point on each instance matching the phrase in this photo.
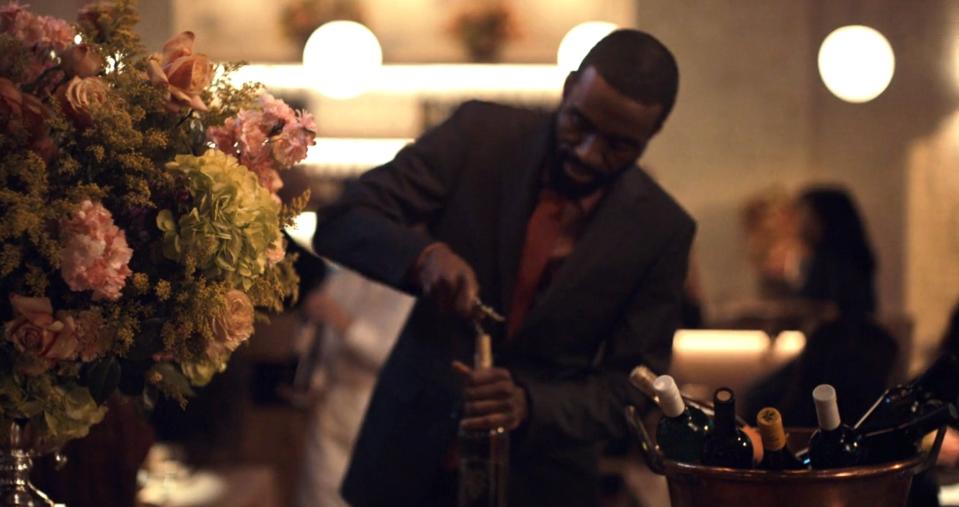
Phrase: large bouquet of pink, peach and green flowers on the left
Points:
(140, 227)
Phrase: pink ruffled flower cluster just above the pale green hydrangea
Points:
(270, 137)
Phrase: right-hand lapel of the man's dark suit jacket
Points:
(598, 245)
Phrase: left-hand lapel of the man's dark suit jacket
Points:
(518, 199)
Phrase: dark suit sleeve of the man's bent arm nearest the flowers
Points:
(368, 228)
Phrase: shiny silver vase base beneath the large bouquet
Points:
(16, 462)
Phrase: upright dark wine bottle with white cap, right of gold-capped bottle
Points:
(834, 444)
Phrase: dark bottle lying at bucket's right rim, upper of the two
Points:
(898, 405)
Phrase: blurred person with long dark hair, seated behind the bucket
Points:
(845, 346)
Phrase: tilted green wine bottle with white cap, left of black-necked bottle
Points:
(682, 430)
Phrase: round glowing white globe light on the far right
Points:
(856, 63)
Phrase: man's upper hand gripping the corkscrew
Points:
(448, 279)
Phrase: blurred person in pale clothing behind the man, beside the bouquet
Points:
(356, 323)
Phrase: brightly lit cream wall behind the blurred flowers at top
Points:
(408, 30)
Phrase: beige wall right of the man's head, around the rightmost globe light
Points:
(753, 112)
